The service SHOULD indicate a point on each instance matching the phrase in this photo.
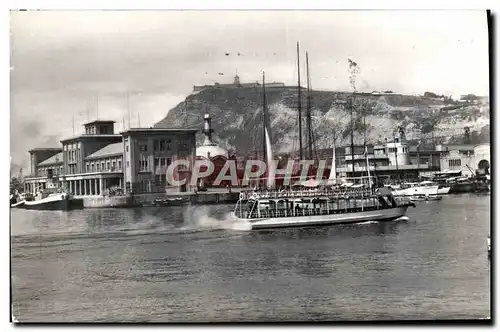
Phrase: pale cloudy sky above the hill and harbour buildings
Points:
(68, 67)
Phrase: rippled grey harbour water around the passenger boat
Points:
(196, 264)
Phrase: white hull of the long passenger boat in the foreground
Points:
(331, 219)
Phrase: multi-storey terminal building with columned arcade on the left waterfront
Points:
(98, 161)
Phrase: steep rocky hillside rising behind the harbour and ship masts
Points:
(237, 117)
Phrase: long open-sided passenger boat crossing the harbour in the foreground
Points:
(273, 209)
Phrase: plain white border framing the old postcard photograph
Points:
(185, 4)
